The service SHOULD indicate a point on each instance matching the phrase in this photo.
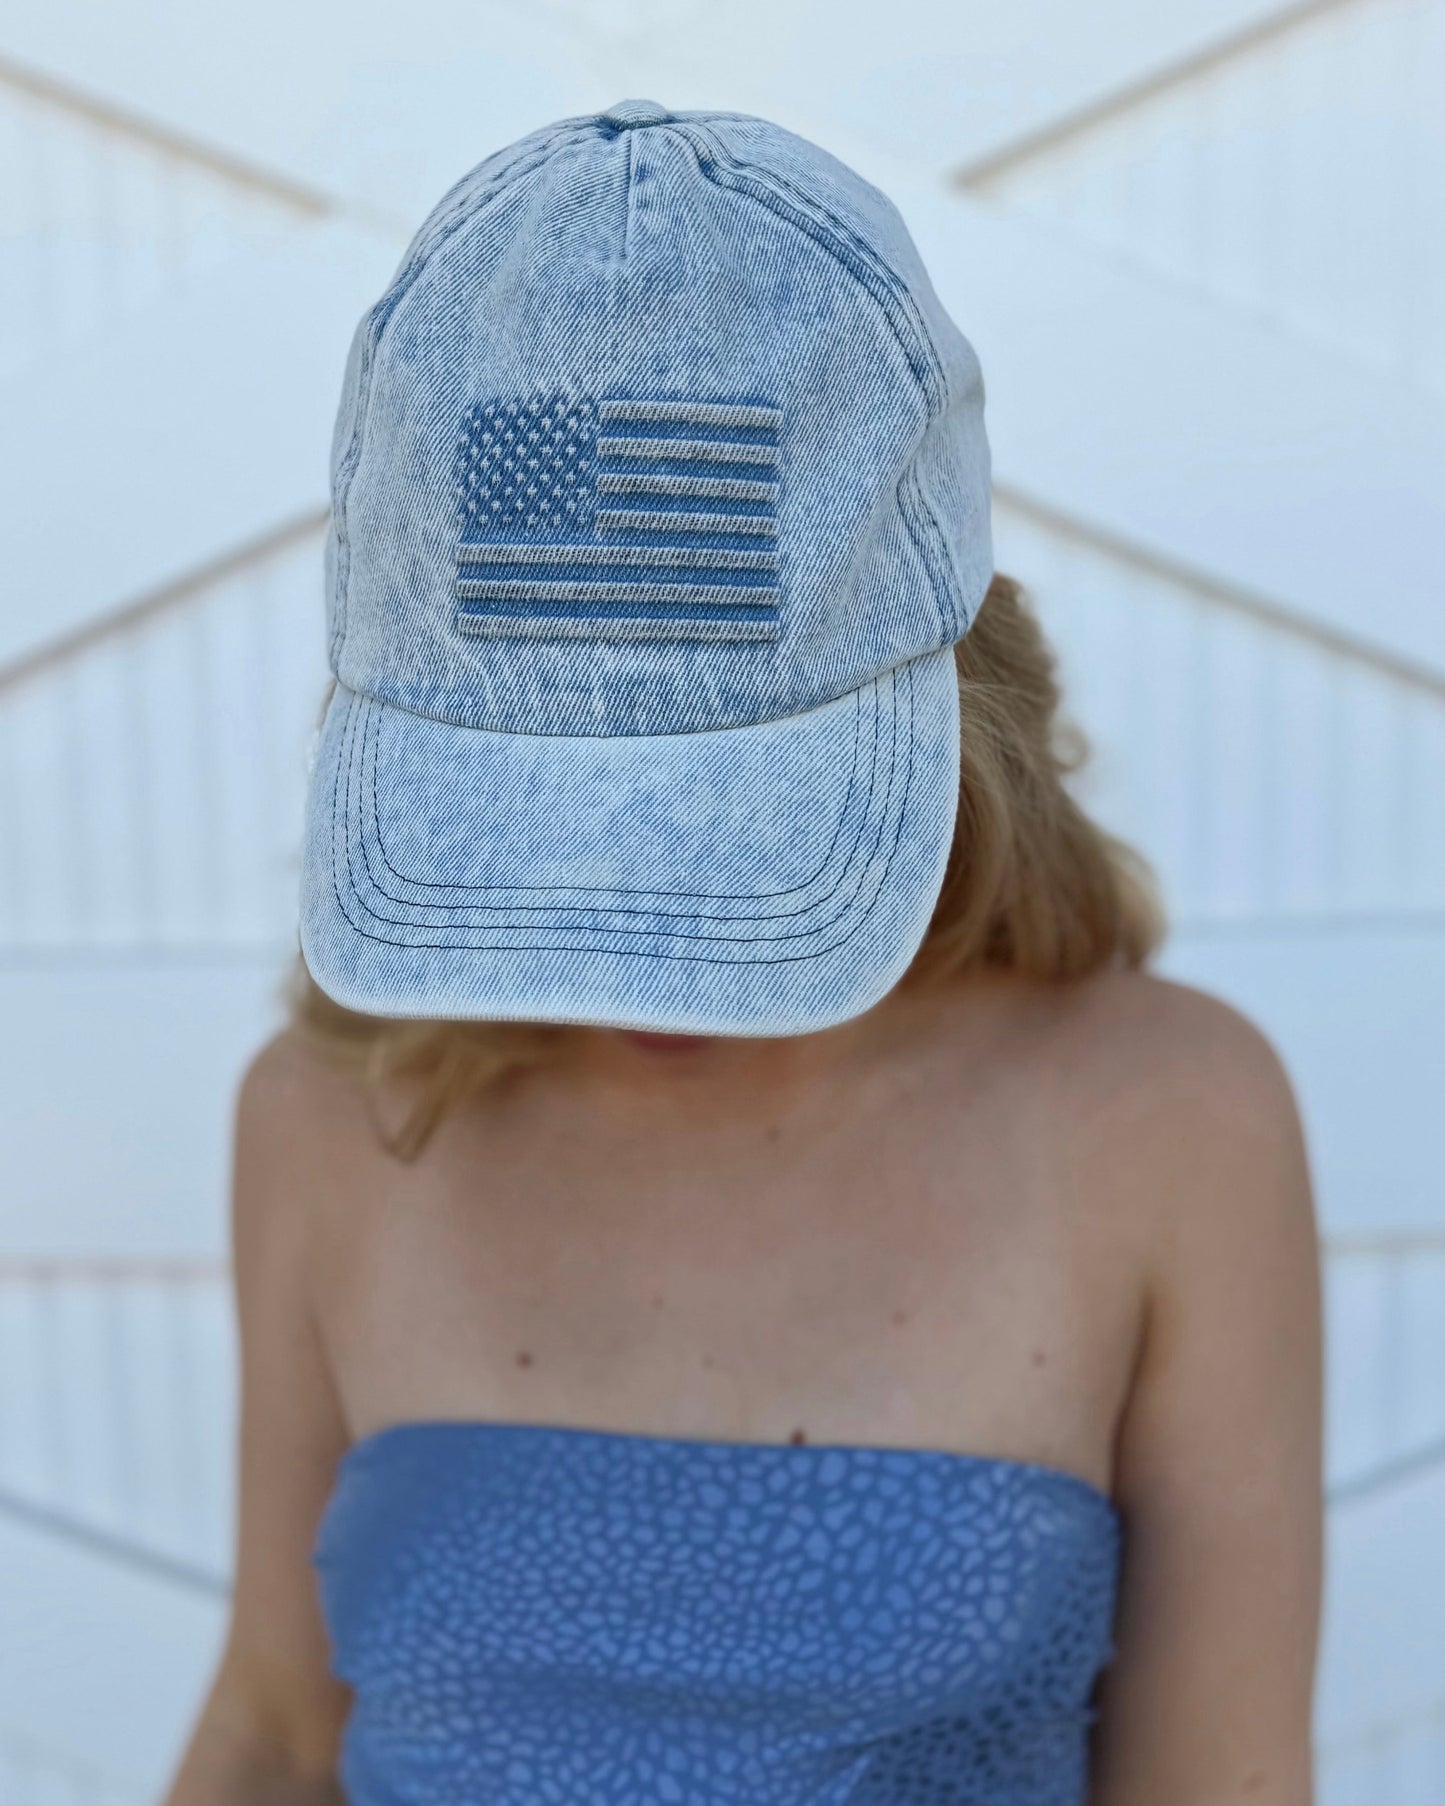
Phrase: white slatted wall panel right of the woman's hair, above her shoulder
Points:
(1271, 776)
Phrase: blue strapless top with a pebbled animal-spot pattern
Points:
(537, 1615)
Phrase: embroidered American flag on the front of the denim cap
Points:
(619, 519)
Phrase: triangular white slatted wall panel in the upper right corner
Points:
(1303, 178)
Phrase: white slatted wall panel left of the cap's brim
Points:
(151, 783)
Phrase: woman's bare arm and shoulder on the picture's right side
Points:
(1188, 1131)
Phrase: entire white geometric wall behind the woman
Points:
(1202, 252)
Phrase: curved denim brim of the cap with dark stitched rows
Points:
(765, 880)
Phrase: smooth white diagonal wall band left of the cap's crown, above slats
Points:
(221, 452)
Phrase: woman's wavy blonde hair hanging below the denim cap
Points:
(1032, 888)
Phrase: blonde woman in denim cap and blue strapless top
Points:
(747, 1289)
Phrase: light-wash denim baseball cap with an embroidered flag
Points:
(660, 498)
